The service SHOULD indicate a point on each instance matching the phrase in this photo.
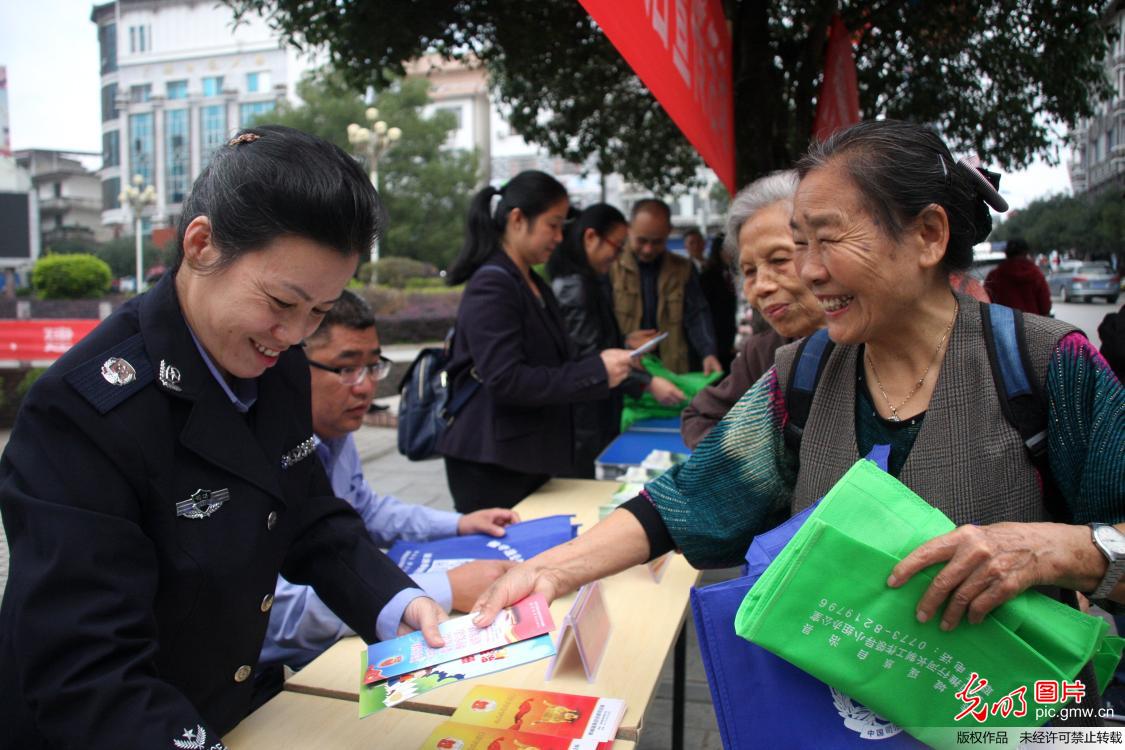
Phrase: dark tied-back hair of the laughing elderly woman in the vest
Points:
(901, 169)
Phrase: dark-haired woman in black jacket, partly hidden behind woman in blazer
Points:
(580, 278)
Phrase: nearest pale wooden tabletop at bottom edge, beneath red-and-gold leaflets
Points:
(309, 722)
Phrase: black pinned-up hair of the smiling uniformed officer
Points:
(273, 182)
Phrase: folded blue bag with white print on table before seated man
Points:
(521, 541)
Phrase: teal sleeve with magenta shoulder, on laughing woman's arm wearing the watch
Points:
(1086, 431)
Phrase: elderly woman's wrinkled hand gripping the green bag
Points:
(987, 566)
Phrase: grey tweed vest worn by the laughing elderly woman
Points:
(968, 460)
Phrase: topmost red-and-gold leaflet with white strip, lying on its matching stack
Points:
(541, 712)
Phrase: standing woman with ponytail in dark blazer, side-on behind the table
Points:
(518, 429)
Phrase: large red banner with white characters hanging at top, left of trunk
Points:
(681, 51)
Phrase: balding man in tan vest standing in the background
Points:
(656, 292)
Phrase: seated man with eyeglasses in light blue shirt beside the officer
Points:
(346, 363)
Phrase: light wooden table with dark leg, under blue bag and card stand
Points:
(647, 620)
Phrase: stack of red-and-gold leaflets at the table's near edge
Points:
(509, 718)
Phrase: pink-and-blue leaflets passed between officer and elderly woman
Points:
(398, 671)
